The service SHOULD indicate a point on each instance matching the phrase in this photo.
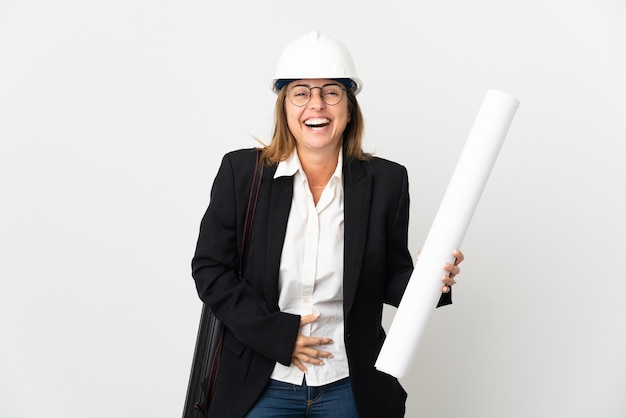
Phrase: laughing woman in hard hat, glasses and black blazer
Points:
(328, 247)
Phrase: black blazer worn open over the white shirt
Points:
(377, 267)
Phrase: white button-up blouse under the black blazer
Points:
(311, 271)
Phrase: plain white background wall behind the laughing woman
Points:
(113, 119)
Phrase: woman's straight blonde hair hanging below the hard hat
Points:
(283, 142)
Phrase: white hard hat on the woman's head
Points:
(316, 55)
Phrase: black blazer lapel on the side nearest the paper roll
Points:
(357, 194)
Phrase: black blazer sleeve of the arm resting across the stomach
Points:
(215, 265)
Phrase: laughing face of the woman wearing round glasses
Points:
(317, 127)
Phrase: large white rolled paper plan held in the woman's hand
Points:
(447, 231)
